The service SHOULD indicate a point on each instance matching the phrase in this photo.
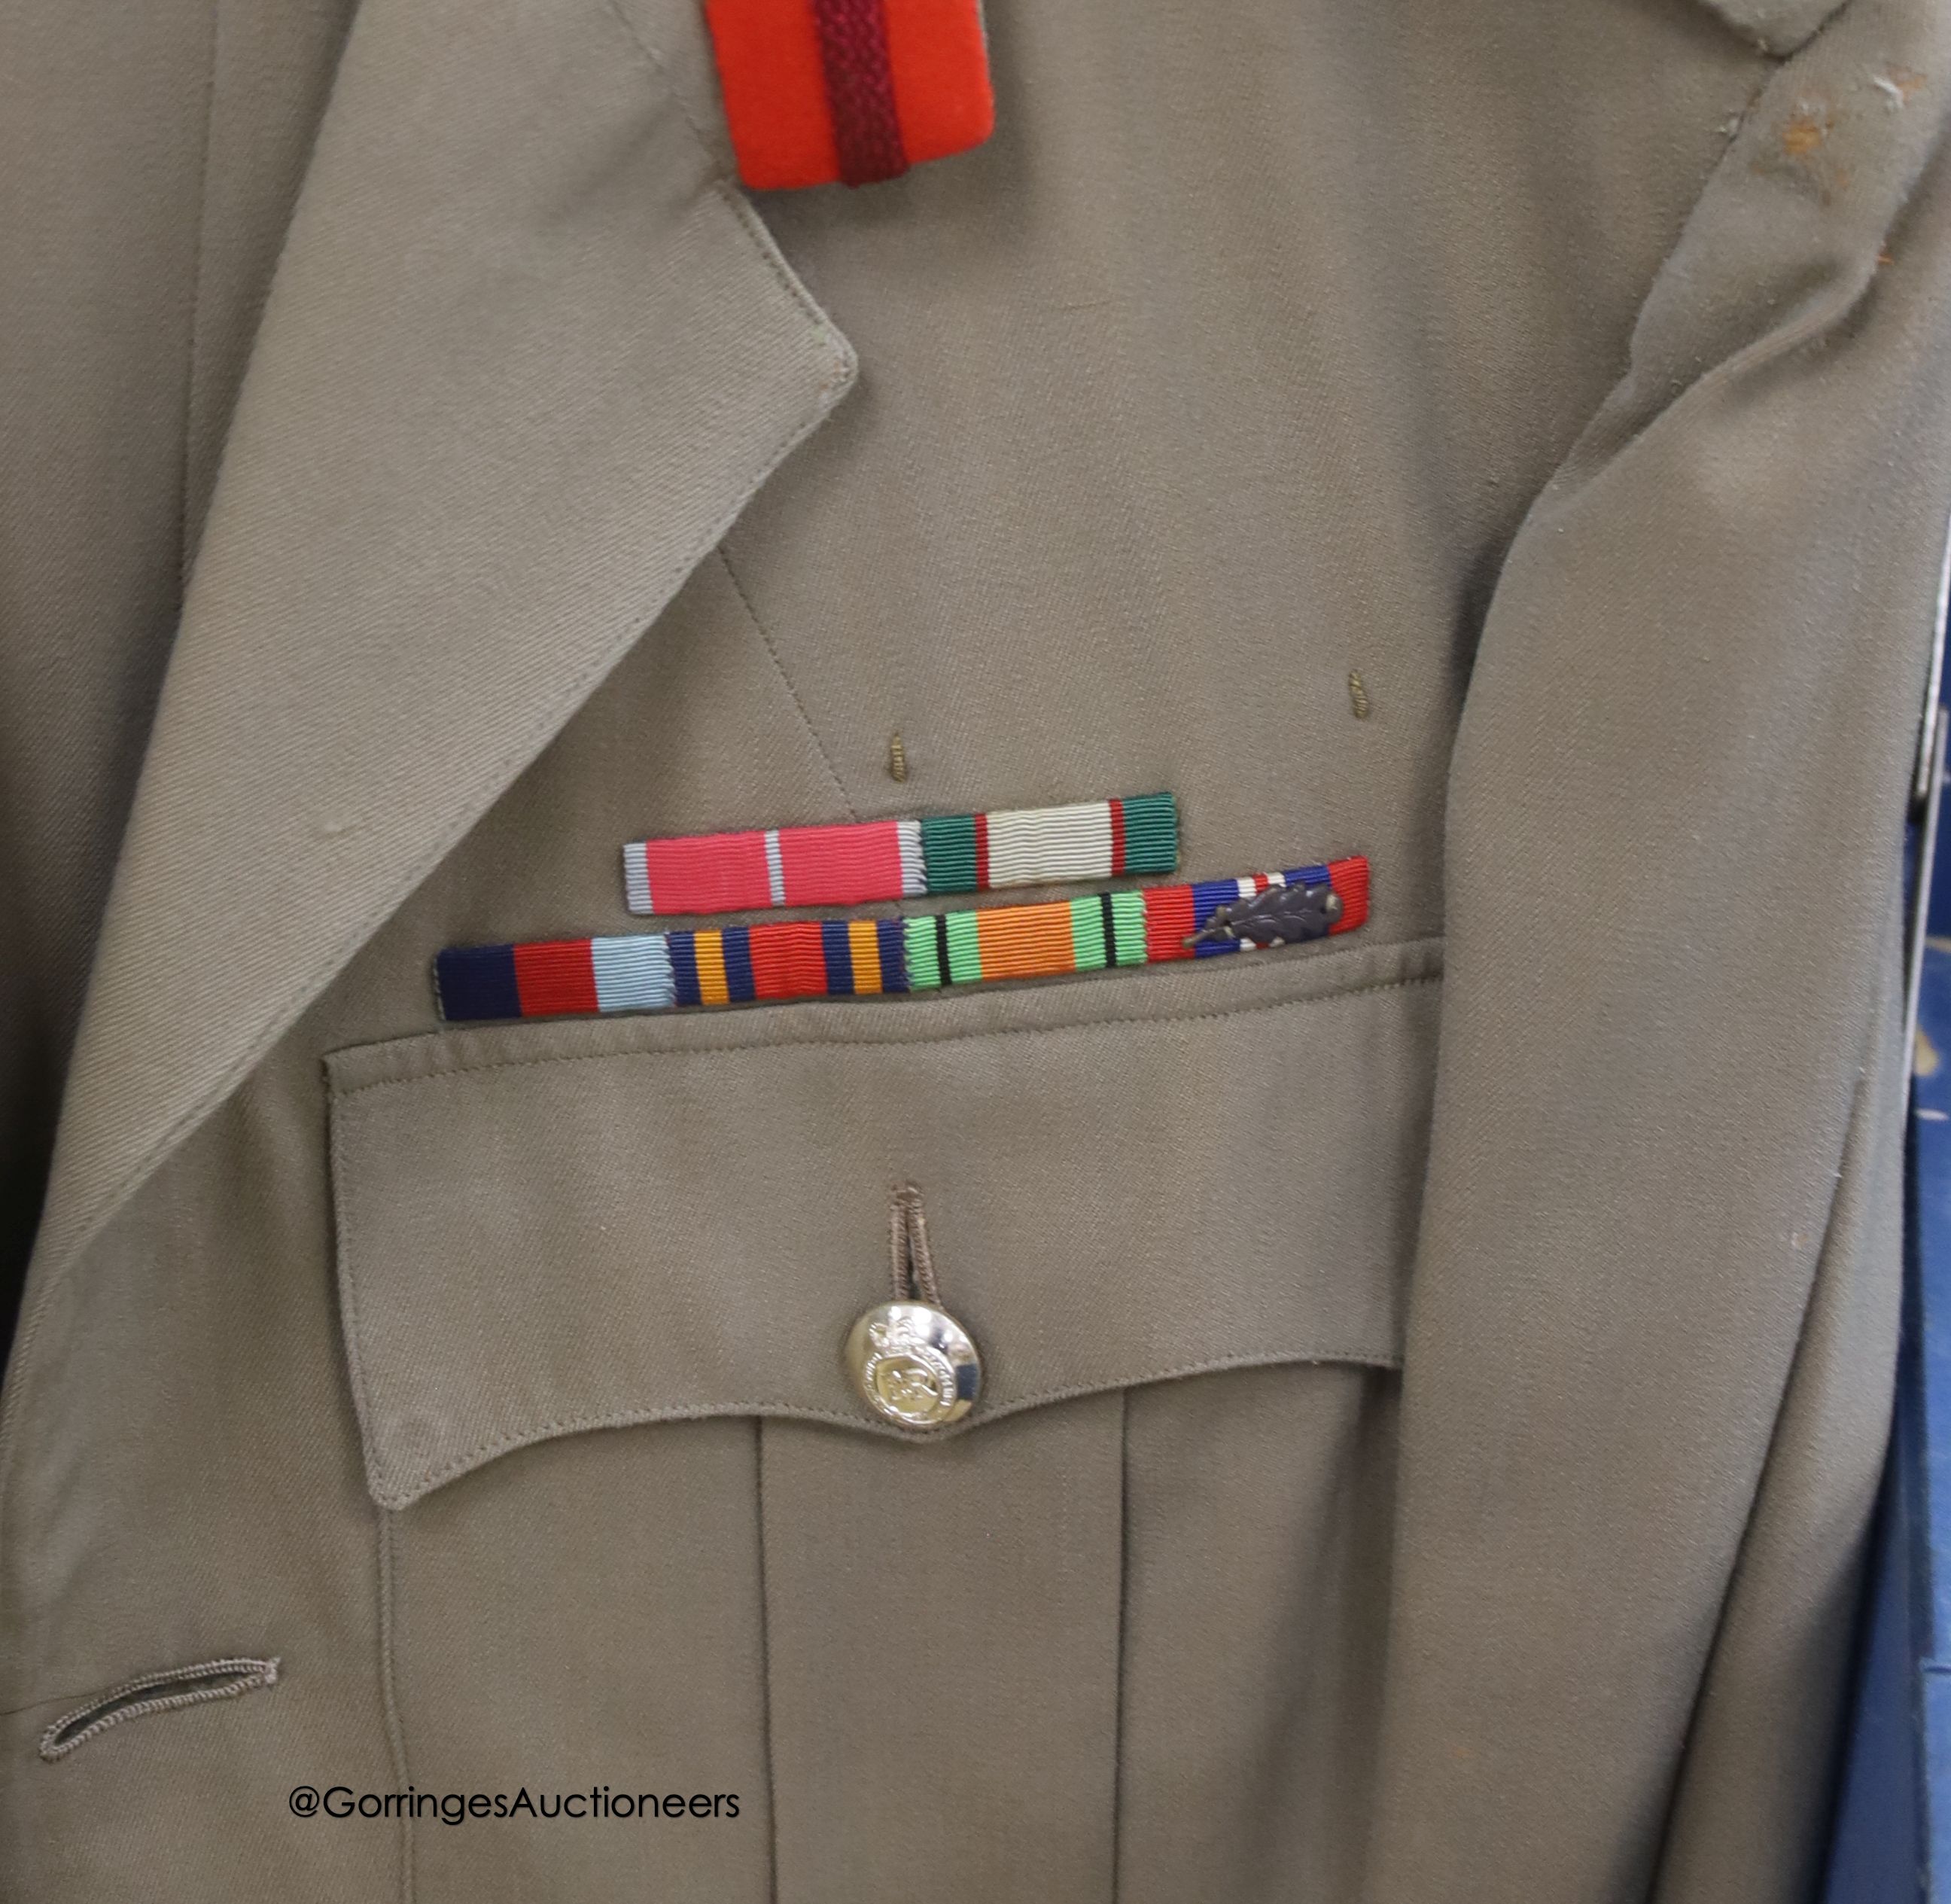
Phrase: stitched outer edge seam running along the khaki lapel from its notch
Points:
(393, 896)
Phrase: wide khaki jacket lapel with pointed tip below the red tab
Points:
(524, 362)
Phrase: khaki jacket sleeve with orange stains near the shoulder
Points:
(1655, 1310)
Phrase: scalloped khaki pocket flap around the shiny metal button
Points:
(547, 1230)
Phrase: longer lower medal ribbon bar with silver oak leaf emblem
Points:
(850, 957)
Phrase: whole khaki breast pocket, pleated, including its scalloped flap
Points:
(645, 1536)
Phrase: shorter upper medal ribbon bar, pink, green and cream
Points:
(900, 859)
